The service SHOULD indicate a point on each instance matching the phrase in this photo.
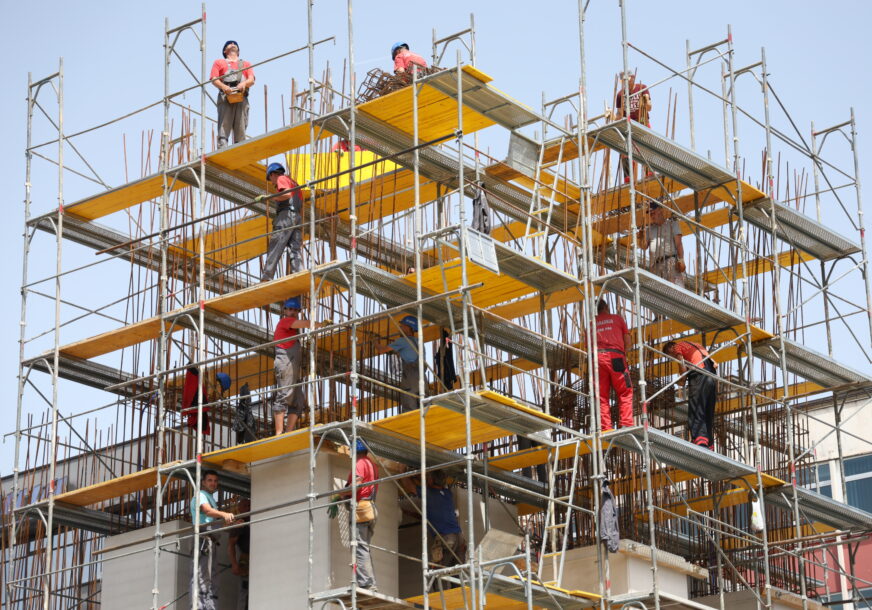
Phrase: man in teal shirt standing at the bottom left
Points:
(204, 581)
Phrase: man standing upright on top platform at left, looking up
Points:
(233, 77)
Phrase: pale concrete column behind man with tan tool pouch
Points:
(280, 545)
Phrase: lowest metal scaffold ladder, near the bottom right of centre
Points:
(550, 533)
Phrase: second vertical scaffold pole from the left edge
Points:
(59, 231)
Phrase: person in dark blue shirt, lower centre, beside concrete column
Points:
(447, 546)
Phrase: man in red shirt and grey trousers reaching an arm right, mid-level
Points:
(290, 399)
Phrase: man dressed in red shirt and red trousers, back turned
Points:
(613, 342)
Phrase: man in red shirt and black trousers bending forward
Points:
(702, 389)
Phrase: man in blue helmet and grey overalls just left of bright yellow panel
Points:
(287, 224)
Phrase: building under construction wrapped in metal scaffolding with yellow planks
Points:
(501, 257)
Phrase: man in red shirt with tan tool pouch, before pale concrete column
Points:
(365, 471)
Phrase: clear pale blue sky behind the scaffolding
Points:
(113, 61)
